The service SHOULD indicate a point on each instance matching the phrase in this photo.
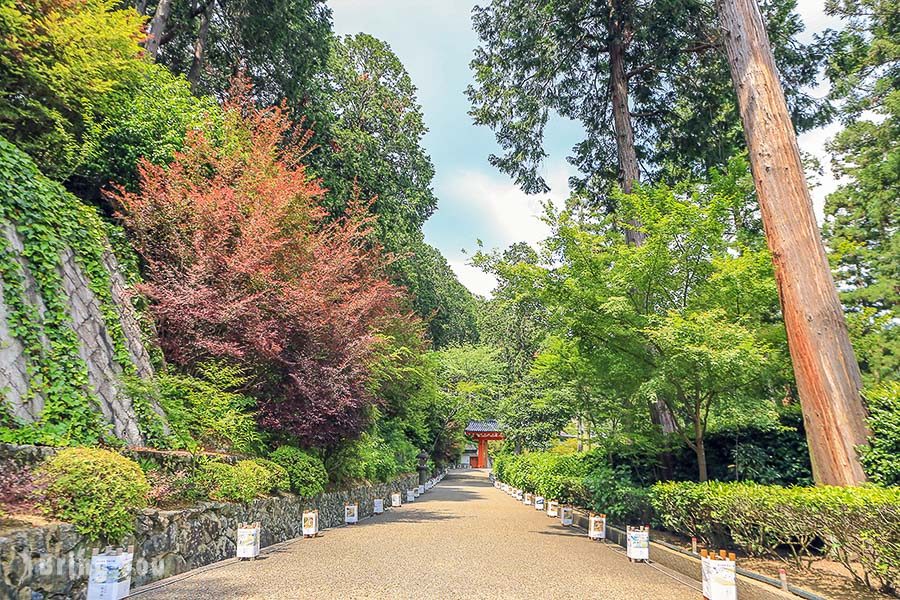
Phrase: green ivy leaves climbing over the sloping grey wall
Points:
(48, 220)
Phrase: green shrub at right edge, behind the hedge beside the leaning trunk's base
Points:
(881, 458)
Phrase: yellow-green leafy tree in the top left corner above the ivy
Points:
(60, 62)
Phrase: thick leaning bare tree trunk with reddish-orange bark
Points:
(825, 366)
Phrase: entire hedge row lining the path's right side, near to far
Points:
(857, 527)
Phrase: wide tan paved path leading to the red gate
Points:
(462, 539)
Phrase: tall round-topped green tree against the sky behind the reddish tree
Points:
(376, 137)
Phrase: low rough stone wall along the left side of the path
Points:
(52, 562)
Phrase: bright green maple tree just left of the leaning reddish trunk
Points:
(689, 318)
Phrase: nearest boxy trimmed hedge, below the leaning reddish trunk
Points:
(860, 524)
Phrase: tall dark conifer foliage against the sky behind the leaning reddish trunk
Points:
(647, 81)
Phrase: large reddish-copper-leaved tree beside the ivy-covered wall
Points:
(243, 264)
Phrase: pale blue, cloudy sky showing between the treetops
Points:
(434, 41)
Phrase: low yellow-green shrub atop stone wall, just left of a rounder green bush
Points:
(242, 482)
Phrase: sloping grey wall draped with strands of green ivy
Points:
(69, 337)
